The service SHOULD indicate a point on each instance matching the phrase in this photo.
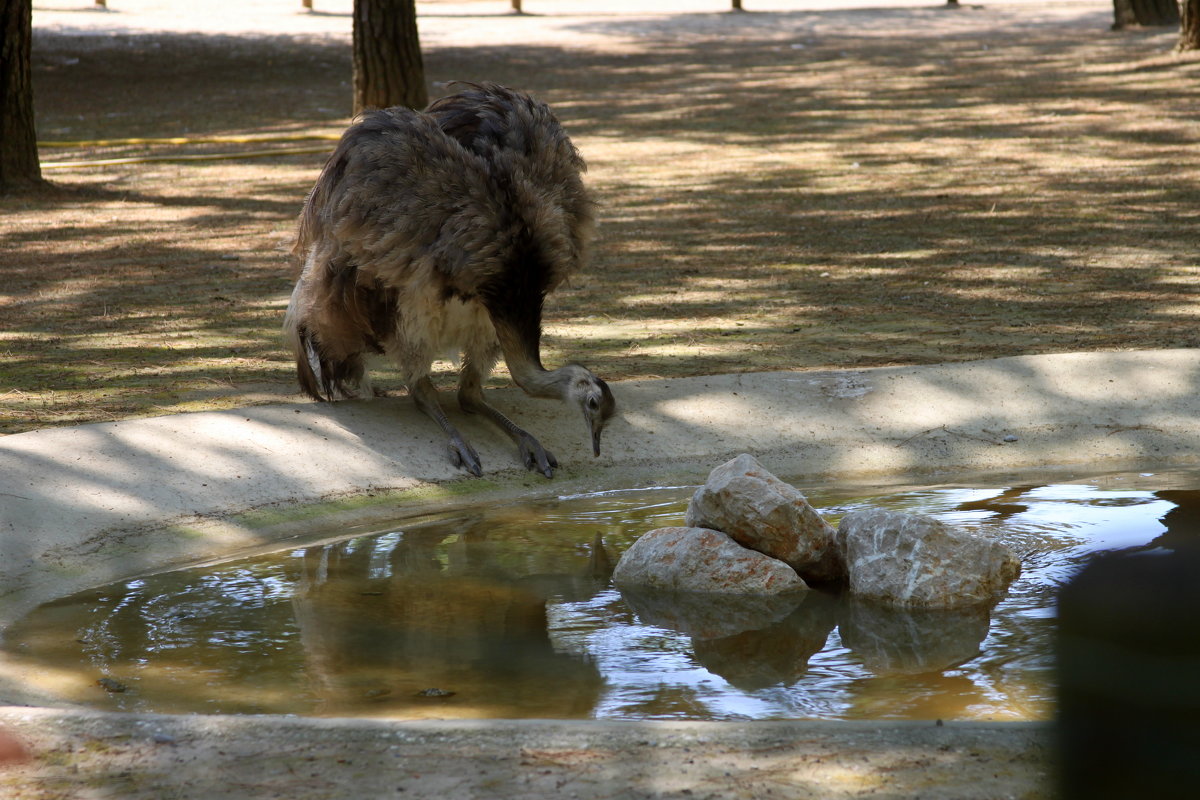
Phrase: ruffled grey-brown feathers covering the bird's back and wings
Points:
(454, 189)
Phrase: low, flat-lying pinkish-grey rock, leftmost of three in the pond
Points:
(699, 561)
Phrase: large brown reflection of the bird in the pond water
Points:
(377, 637)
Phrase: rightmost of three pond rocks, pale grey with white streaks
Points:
(916, 562)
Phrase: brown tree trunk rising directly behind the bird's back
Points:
(388, 68)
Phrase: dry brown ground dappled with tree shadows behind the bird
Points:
(783, 190)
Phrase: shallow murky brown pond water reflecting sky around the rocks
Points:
(507, 611)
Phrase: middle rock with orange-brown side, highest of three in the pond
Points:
(765, 514)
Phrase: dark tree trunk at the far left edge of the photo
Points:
(19, 140)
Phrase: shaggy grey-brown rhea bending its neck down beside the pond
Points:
(441, 233)
